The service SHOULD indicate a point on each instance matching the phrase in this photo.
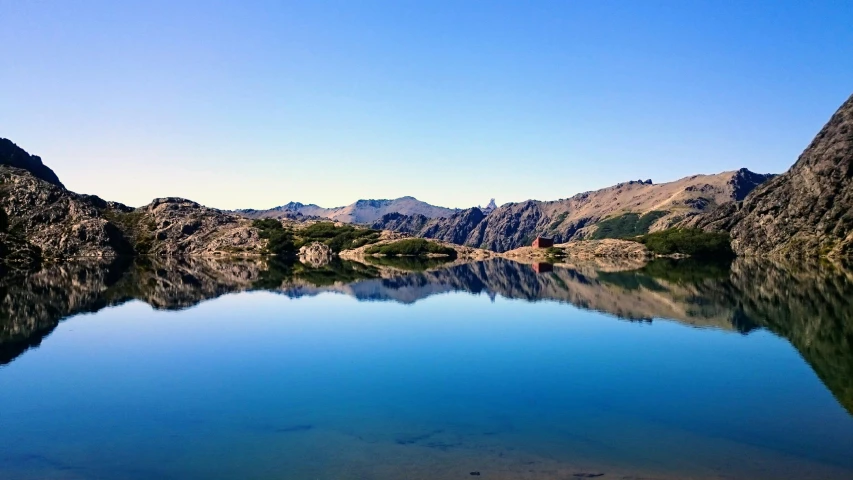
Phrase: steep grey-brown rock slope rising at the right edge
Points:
(807, 211)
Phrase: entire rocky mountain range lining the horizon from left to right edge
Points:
(807, 211)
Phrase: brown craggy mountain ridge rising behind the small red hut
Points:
(515, 225)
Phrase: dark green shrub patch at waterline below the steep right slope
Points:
(688, 241)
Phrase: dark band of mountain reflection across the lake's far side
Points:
(809, 305)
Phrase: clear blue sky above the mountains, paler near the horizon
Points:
(251, 104)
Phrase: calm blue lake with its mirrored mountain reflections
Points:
(204, 369)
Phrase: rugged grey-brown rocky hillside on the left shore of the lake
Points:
(42, 216)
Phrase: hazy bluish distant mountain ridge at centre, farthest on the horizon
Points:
(362, 211)
